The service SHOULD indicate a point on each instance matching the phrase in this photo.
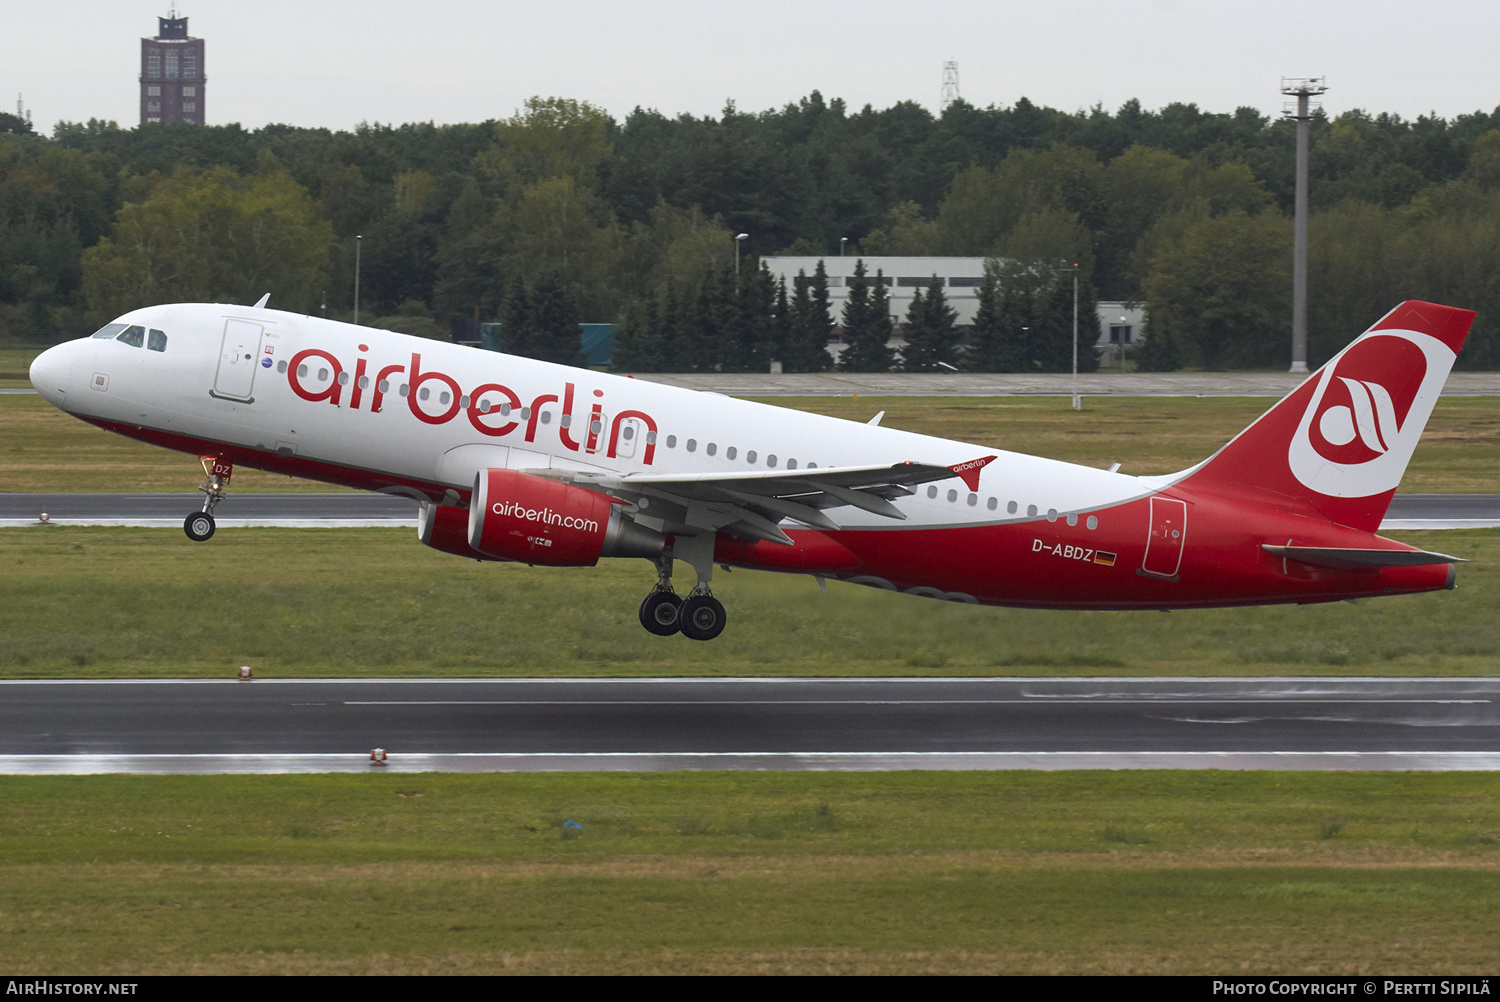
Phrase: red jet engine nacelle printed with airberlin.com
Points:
(538, 521)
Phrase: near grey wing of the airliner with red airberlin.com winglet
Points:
(752, 505)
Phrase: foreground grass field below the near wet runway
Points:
(752, 874)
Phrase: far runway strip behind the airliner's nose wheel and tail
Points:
(352, 511)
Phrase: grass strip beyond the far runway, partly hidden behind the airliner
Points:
(44, 449)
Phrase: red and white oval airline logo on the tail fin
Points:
(1367, 413)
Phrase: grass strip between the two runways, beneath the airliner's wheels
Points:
(125, 602)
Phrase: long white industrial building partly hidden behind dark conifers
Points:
(1120, 323)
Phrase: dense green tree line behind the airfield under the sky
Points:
(634, 223)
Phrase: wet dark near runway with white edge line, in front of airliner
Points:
(550, 725)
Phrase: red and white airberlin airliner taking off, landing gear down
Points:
(515, 460)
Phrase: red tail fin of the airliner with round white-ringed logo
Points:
(1340, 442)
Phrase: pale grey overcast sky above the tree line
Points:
(337, 64)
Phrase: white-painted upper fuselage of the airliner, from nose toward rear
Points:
(203, 388)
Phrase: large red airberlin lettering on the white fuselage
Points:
(488, 416)
